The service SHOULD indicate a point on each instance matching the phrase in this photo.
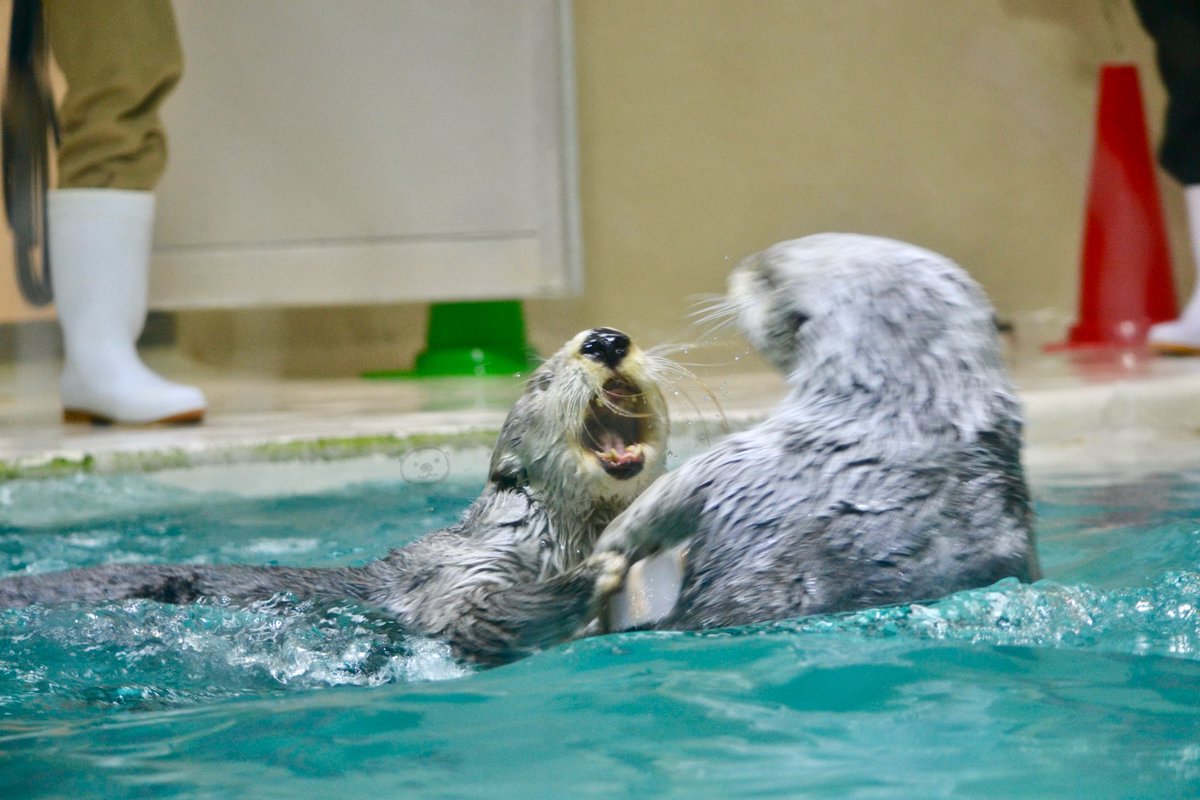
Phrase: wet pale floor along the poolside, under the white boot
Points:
(1090, 412)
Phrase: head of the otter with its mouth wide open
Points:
(590, 432)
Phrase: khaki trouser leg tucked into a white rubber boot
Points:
(121, 58)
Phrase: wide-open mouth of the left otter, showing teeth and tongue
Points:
(616, 426)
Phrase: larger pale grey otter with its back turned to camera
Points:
(890, 474)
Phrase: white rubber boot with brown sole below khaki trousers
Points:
(100, 260)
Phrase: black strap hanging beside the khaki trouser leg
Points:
(27, 122)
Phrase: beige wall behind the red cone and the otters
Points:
(711, 129)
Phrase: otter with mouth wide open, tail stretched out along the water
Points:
(587, 437)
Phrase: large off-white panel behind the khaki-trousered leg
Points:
(346, 152)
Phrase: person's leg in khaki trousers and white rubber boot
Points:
(121, 58)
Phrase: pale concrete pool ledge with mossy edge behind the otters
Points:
(1082, 417)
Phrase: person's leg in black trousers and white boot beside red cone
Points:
(1175, 28)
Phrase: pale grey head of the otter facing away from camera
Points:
(869, 318)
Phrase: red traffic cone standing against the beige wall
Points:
(1126, 273)
